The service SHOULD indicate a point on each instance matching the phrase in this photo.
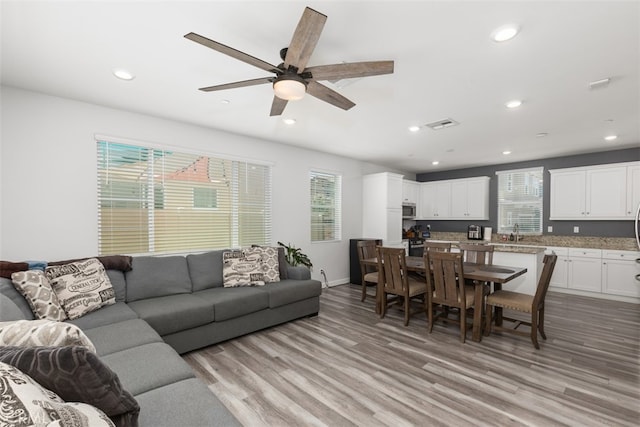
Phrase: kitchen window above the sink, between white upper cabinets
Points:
(520, 200)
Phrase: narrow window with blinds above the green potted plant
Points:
(326, 203)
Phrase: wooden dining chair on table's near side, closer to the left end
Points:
(394, 279)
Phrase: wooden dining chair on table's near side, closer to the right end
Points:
(446, 289)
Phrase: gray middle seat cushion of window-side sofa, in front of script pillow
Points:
(233, 302)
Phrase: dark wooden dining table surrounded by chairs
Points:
(479, 274)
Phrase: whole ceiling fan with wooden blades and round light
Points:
(292, 77)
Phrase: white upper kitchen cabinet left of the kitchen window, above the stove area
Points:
(455, 199)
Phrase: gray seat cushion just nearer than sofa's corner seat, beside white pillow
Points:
(122, 335)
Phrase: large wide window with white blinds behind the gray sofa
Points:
(160, 201)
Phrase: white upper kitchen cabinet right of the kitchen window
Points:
(603, 192)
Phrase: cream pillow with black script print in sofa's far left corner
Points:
(81, 286)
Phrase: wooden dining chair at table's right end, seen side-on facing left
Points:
(533, 304)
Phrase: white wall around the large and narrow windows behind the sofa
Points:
(48, 178)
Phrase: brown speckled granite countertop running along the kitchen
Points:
(528, 244)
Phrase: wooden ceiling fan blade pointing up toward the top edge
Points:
(304, 39)
